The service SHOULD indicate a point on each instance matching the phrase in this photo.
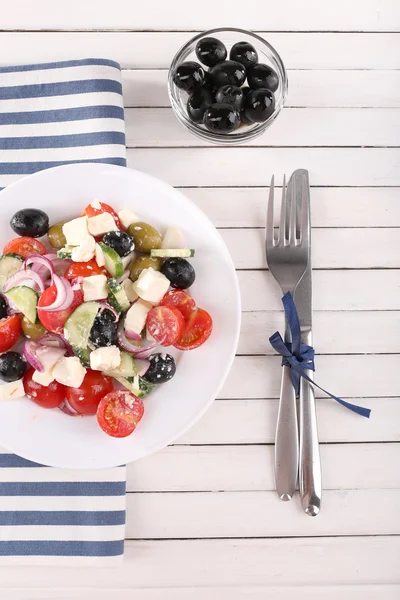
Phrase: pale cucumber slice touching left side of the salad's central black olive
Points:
(77, 329)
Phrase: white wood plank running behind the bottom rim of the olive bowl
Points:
(152, 127)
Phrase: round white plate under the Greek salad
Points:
(52, 438)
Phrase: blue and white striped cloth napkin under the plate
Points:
(53, 114)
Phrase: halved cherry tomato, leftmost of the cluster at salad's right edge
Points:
(165, 324)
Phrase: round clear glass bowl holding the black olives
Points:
(229, 36)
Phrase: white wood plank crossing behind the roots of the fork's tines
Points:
(332, 248)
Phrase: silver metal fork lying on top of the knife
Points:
(287, 258)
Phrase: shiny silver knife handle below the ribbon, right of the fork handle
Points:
(310, 482)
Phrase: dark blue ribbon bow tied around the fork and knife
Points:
(300, 357)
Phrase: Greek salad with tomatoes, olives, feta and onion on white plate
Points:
(83, 311)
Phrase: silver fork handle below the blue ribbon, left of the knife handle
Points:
(286, 440)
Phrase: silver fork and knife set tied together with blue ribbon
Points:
(288, 253)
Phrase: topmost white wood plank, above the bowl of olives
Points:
(376, 15)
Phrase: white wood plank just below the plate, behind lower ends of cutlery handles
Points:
(251, 468)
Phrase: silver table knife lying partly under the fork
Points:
(310, 483)
